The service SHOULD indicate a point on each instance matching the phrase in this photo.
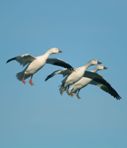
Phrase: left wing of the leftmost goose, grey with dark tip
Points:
(23, 59)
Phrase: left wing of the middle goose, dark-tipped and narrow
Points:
(63, 72)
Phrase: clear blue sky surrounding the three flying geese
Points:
(39, 116)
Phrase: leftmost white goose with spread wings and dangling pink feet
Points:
(34, 64)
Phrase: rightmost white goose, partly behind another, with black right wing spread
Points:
(94, 79)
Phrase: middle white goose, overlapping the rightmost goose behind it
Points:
(72, 75)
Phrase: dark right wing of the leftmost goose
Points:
(59, 62)
